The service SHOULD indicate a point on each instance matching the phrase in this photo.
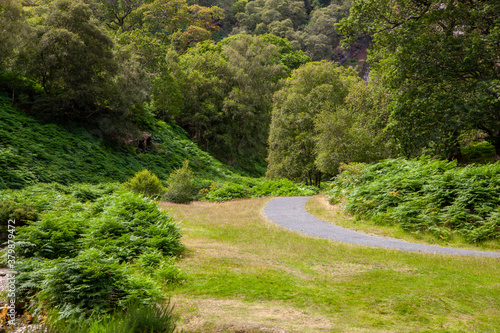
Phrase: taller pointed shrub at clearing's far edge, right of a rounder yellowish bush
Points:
(181, 187)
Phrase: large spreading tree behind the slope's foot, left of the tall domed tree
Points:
(228, 96)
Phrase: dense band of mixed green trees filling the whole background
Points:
(240, 77)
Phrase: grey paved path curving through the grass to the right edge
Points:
(289, 212)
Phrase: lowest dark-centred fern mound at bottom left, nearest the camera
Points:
(91, 282)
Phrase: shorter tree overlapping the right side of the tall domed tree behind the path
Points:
(353, 131)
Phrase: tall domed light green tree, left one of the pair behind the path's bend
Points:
(312, 88)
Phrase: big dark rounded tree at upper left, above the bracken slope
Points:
(73, 60)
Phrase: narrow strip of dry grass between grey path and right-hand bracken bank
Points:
(322, 209)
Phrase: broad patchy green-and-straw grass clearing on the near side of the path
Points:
(247, 275)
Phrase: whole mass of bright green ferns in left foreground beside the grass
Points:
(77, 258)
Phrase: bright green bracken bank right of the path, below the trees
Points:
(425, 195)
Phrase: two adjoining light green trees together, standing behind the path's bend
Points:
(322, 117)
